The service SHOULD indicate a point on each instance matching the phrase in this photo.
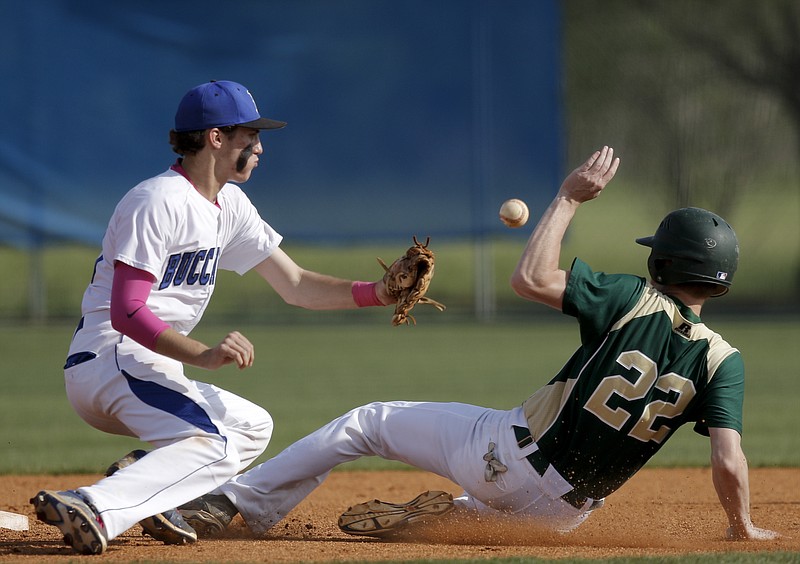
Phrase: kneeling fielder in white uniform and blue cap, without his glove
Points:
(164, 244)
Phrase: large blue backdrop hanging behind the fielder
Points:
(412, 117)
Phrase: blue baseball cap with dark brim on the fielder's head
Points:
(219, 103)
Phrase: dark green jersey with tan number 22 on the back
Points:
(646, 365)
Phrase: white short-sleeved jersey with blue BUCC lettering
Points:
(167, 228)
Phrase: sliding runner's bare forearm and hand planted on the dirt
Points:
(730, 475)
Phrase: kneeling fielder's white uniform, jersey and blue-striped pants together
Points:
(204, 434)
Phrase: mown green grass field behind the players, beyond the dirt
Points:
(307, 374)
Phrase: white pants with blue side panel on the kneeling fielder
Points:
(203, 435)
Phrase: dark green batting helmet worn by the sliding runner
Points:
(693, 245)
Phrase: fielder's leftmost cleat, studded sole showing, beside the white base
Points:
(72, 513)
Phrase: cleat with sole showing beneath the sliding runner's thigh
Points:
(378, 518)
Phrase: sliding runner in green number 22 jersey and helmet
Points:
(646, 365)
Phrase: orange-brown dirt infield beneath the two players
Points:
(659, 512)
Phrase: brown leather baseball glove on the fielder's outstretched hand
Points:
(407, 279)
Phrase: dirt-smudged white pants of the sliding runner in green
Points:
(448, 439)
